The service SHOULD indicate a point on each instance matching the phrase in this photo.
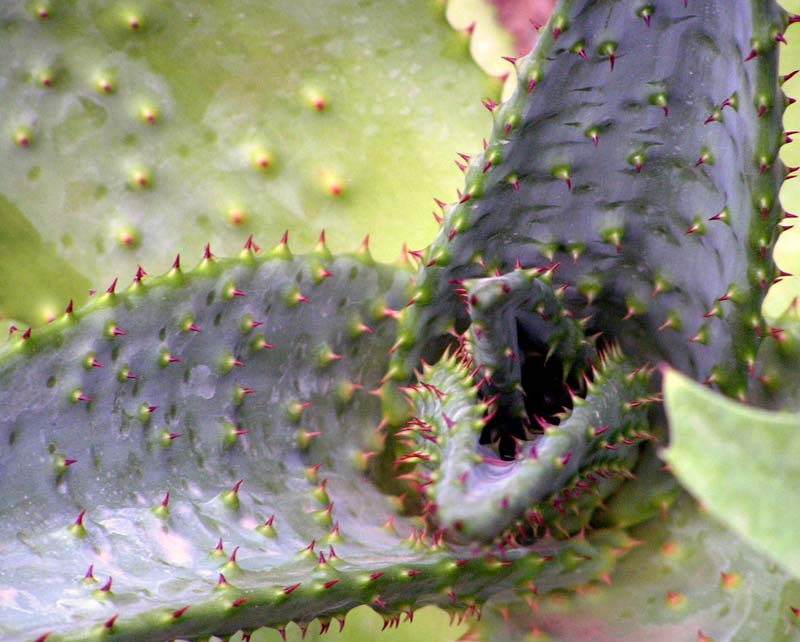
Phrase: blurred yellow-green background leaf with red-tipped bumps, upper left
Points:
(209, 123)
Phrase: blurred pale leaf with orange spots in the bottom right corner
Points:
(690, 579)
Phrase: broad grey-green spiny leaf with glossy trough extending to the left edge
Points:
(183, 461)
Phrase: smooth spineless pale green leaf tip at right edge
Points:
(743, 463)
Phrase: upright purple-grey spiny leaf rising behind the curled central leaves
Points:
(582, 172)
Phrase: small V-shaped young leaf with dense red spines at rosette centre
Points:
(569, 469)
